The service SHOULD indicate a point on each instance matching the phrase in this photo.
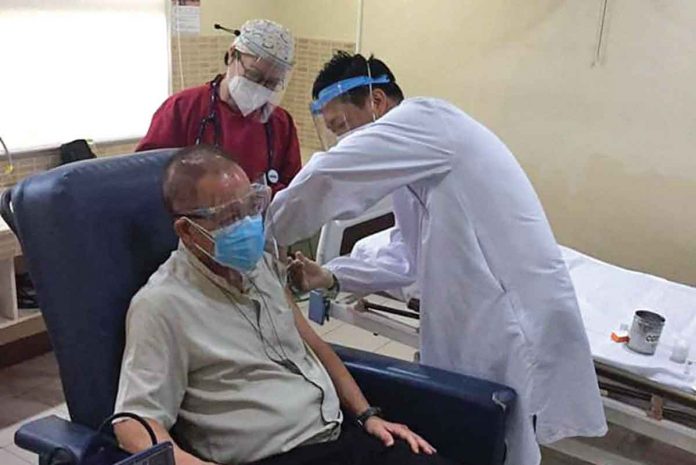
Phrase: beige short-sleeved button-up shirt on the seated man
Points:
(227, 370)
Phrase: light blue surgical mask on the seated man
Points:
(239, 245)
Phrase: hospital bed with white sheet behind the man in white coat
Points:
(646, 396)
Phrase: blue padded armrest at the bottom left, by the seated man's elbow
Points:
(55, 438)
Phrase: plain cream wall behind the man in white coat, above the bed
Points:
(610, 148)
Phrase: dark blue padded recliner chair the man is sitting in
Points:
(94, 231)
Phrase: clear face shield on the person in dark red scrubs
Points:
(257, 84)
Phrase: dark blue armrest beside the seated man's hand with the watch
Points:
(463, 417)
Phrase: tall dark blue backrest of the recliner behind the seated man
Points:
(92, 233)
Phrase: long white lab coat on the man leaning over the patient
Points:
(497, 301)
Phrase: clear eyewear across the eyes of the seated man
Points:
(253, 203)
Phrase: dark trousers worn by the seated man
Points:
(354, 447)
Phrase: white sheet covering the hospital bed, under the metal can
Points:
(608, 296)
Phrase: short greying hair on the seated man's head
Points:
(183, 172)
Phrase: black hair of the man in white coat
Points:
(344, 65)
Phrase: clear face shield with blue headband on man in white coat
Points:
(333, 118)
